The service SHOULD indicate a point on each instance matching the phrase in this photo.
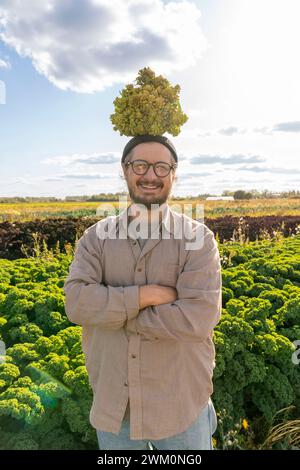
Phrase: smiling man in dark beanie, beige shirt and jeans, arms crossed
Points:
(148, 306)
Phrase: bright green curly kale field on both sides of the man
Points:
(45, 396)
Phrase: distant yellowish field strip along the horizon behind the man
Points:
(212, 209)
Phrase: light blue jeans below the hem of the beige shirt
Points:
(197, 437)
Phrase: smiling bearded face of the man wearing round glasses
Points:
(152, 152)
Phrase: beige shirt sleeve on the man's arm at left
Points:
(88, 301)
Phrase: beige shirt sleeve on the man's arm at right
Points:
(197, 310)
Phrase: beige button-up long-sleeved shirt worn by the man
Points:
(160, 358)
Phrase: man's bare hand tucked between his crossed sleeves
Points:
(154, 294)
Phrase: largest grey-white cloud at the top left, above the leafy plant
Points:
(88, 45)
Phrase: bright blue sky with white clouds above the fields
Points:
(62, 64)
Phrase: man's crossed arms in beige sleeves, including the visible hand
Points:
(188, 312)
